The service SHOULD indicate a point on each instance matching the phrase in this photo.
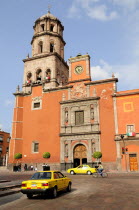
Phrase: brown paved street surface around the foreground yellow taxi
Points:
(117, 191)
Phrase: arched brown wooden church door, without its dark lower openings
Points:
(80, 152)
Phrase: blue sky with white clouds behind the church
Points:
(108, 30)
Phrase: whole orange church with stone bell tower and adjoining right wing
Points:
(61, 111)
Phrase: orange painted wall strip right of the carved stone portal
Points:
(106, 115)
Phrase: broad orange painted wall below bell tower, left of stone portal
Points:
(42, 126)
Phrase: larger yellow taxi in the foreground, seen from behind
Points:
(43, 182)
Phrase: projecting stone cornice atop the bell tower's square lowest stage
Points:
(47, 55)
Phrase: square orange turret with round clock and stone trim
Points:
(79, 68)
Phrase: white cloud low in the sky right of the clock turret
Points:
(128, 75)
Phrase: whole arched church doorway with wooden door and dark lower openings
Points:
(80, 155)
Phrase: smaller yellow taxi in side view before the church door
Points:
(82, 169)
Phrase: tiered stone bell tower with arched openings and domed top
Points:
(46, 66)
